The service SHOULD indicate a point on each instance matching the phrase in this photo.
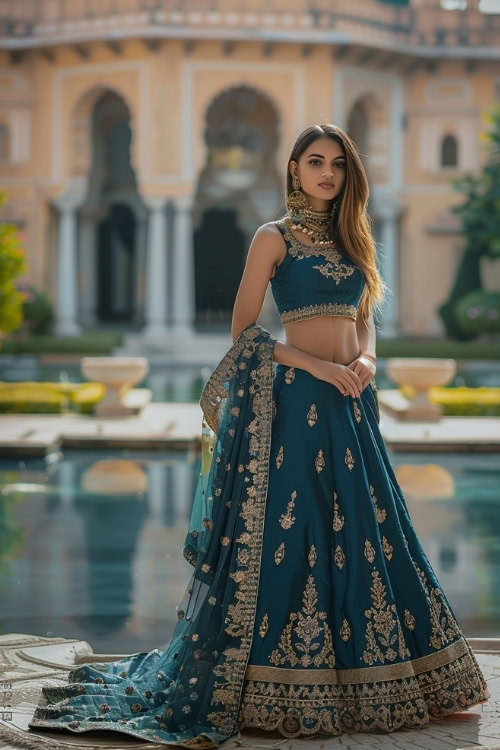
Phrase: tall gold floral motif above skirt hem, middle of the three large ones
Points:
(383, 620)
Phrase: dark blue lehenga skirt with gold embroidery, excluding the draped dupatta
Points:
(353, 631)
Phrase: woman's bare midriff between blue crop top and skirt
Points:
(333, 338)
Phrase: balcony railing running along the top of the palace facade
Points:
(28, 23)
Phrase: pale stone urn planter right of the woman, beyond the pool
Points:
(421, 373)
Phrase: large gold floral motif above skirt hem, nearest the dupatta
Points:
(310, 625)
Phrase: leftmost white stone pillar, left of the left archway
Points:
(67, 266)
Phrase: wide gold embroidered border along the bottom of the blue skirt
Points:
(408, 694)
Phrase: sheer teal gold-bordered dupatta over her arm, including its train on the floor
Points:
(189, 693)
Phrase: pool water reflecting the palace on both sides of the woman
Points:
(90, 547)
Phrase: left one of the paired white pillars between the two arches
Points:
(155, 303)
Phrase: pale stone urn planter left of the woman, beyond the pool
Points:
(118, 374)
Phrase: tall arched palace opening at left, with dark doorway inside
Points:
(111, 251)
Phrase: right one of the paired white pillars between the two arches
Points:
(183, 287)
